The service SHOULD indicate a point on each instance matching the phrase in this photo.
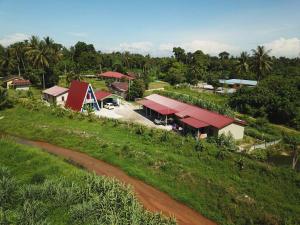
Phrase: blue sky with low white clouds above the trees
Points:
(156, 26)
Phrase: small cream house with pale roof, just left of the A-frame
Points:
(56, 95)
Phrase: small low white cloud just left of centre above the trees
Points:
(143, 47)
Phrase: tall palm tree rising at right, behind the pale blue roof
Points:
(261, 61)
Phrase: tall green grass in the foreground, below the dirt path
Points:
(38, 188)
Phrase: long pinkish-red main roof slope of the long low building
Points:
(185, 110)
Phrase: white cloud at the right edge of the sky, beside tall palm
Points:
(284, 47)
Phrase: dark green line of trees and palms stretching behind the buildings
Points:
(43, 61)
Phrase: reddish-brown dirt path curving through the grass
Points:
(152, 199)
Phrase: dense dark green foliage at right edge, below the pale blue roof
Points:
(276, 98)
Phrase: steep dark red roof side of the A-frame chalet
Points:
(76, 95)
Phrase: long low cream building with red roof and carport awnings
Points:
(201, 121)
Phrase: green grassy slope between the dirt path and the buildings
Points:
(216, 188)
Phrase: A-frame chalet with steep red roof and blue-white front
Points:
(81, 96)
